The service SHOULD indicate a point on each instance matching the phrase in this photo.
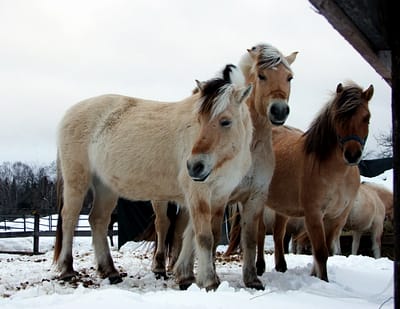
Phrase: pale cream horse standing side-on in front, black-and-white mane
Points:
(195, 152)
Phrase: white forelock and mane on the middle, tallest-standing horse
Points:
(268, 57)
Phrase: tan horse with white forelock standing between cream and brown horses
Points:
(269, 71)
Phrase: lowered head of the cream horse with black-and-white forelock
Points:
(225, 126)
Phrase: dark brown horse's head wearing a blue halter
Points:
(351, 118)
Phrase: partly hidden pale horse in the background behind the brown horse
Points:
(372, 204)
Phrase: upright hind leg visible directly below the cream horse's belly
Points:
(162, 224)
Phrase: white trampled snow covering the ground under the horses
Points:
(30, 281)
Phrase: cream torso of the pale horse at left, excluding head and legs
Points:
(121, 140)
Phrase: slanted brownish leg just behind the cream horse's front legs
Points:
(181, 223)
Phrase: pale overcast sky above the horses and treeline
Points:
(56, 53)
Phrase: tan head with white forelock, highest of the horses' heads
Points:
(269, 71)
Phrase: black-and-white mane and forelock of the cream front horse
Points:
(215, 92)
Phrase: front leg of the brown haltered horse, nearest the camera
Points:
(316, 233)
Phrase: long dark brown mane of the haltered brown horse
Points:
(321, 138)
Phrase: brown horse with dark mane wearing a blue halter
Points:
(316, 174)
